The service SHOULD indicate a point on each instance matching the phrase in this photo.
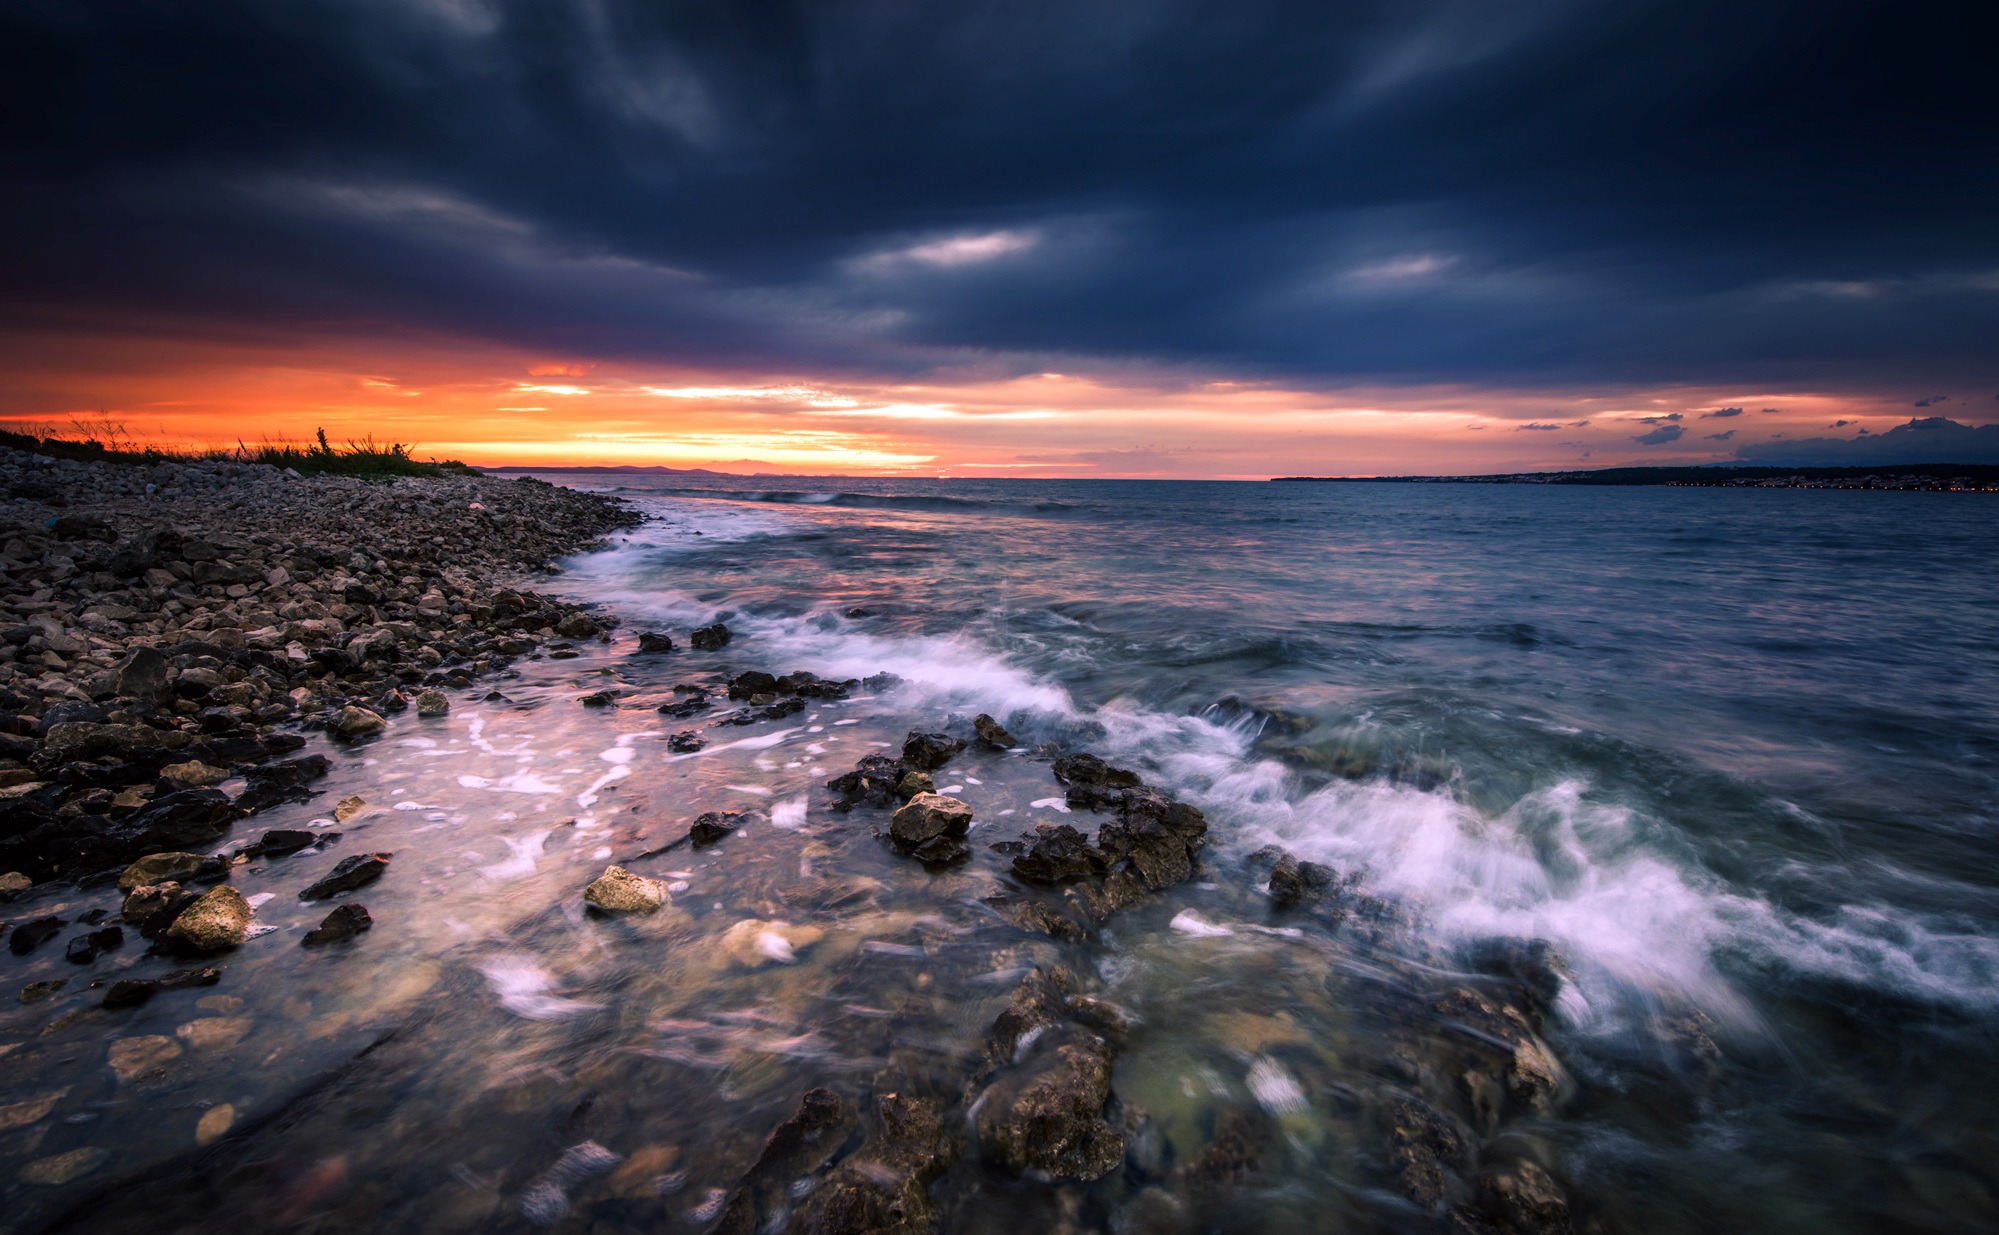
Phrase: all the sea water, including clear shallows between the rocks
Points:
(1730, 752)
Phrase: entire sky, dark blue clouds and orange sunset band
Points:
(1008, 239)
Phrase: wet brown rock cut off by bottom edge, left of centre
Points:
(885, 1186)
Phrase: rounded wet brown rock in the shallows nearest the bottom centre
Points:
(1044, 1118)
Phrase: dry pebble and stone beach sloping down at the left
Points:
(177, 626)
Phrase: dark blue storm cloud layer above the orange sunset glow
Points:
(1388, 189)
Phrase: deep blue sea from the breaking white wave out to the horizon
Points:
(1732, 752)
